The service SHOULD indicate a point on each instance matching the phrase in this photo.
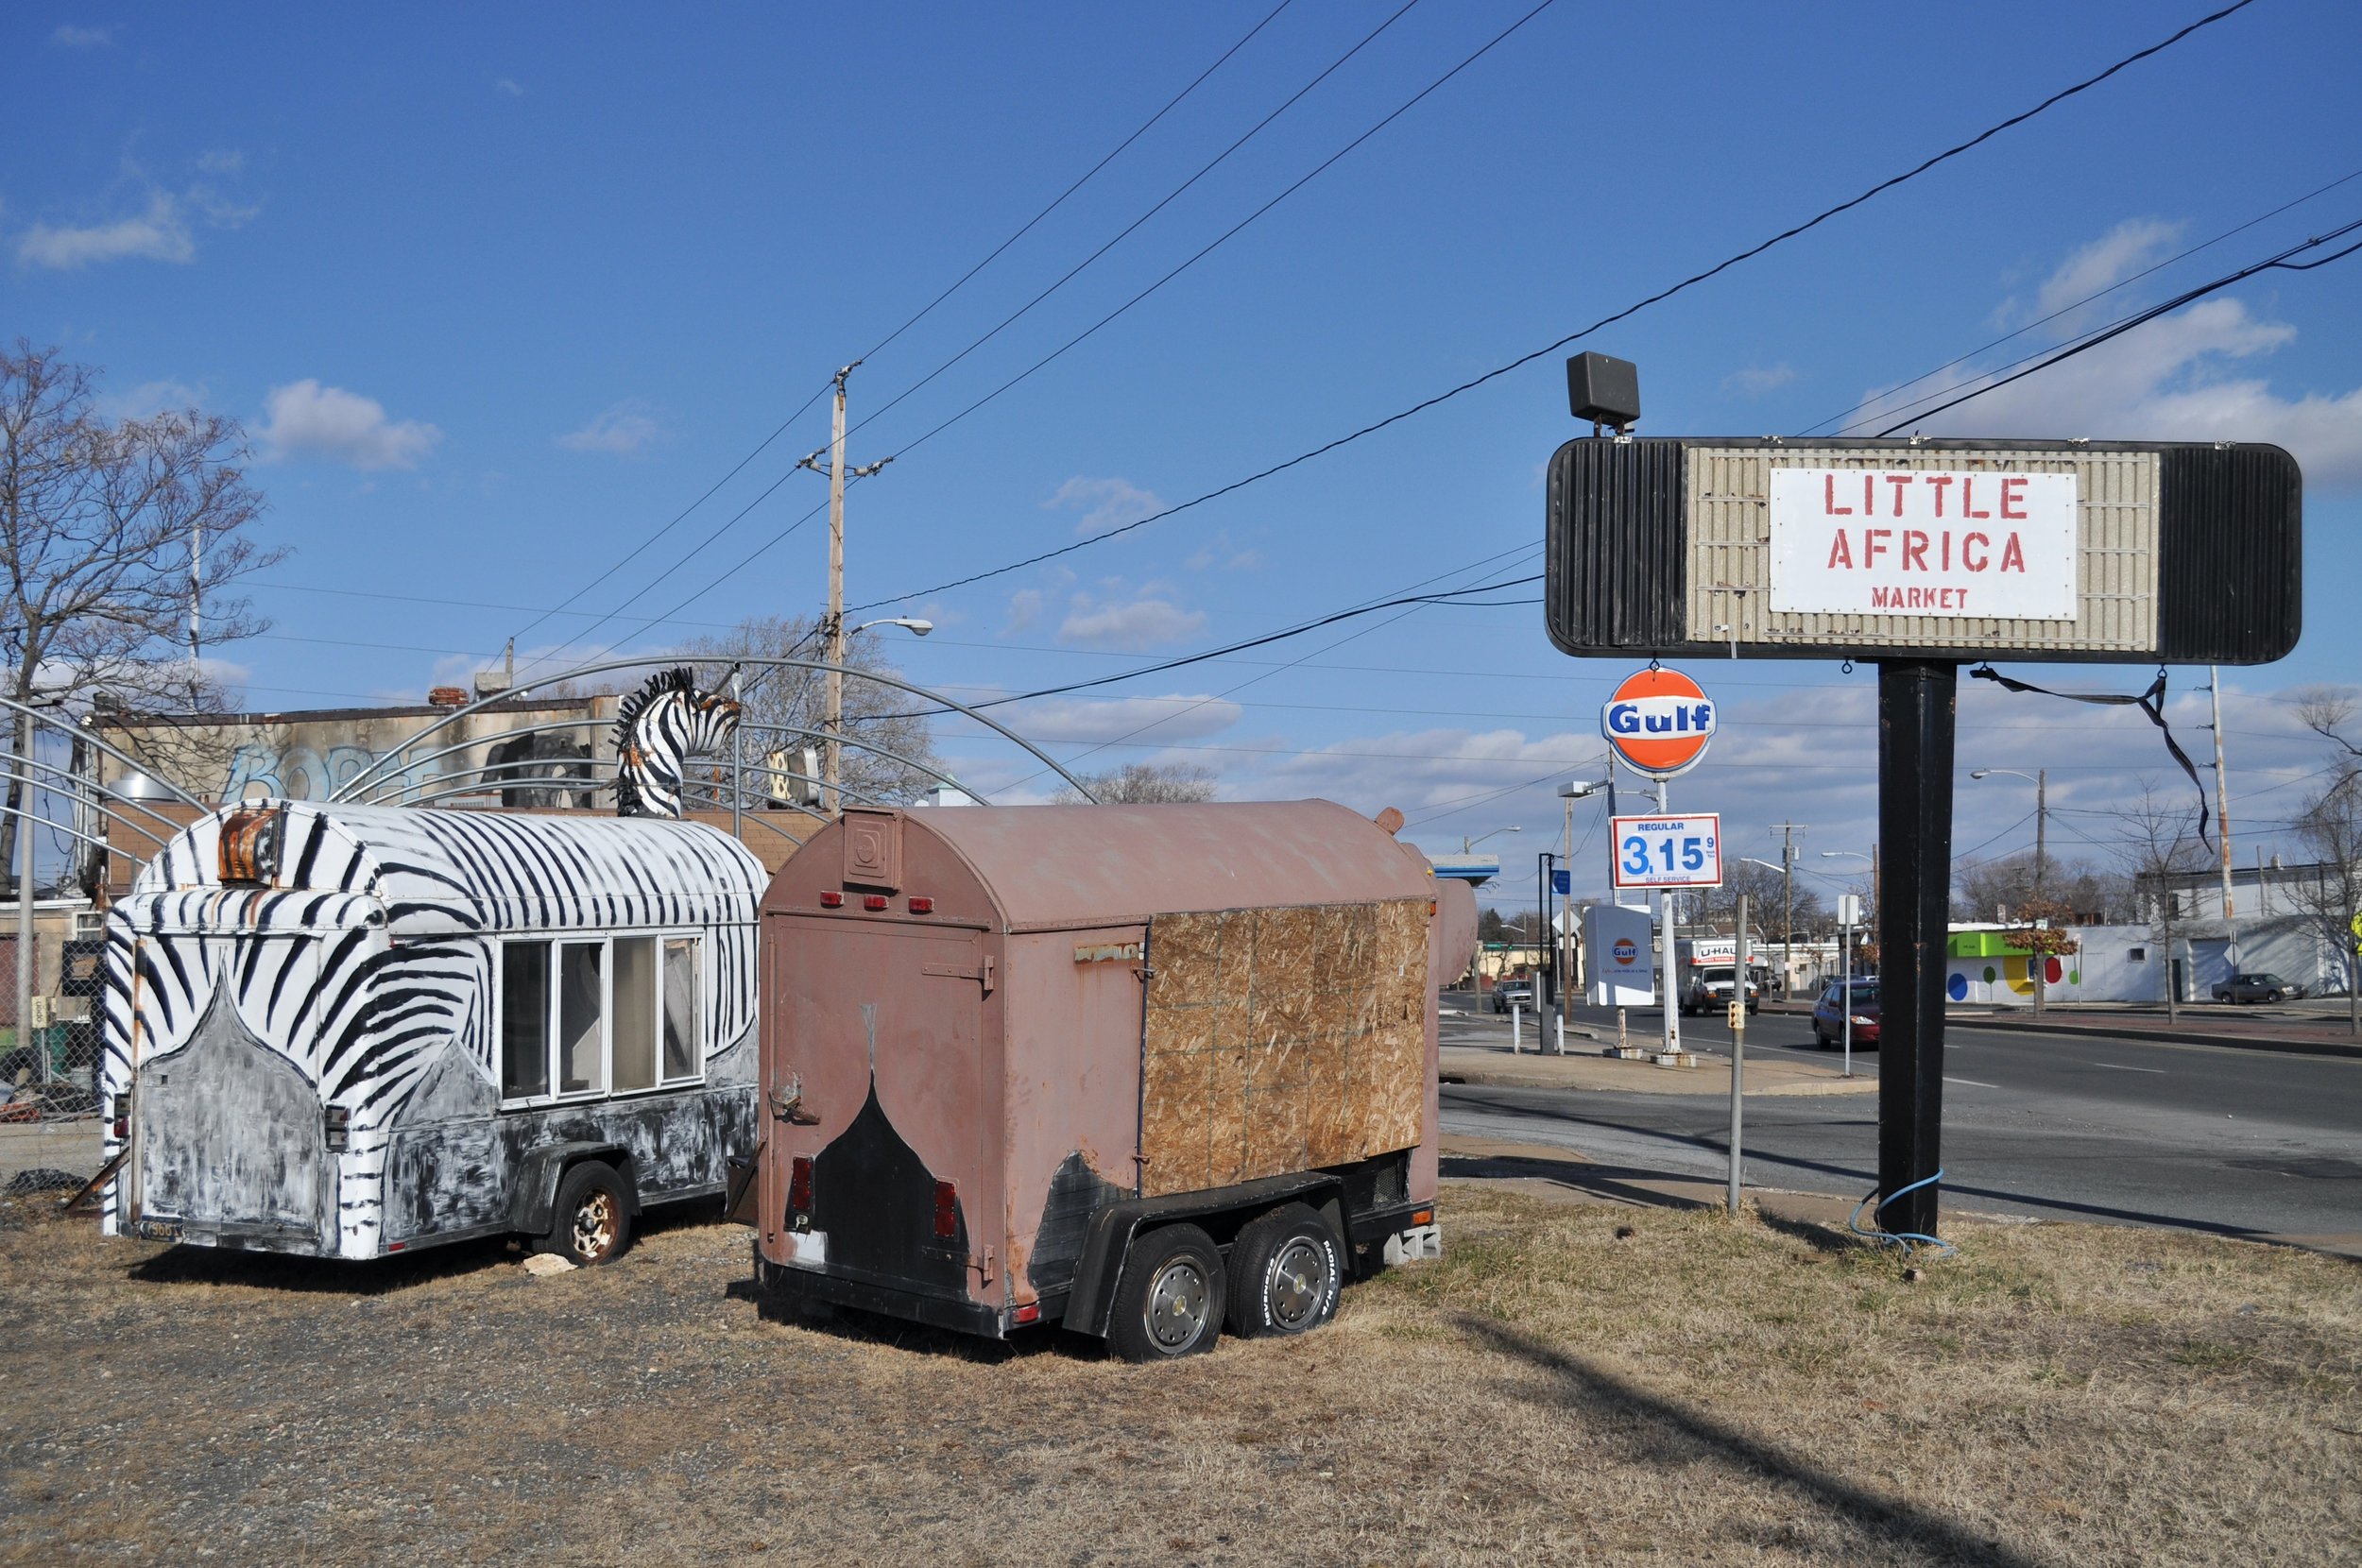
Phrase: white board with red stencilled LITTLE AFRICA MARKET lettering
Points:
(1924, 544)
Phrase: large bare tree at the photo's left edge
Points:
(119, 549)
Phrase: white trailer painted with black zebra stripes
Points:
(348, 1031)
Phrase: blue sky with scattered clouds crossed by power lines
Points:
(500, 292)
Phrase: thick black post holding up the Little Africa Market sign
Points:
(1917, 712)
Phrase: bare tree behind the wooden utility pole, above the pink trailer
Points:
(783, 710)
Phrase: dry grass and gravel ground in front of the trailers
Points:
(1704, 1392)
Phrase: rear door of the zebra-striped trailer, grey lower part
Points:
(228, 1132)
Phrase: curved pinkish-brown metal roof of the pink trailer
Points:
(1107, 865)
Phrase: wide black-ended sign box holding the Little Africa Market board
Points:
(1924, 549)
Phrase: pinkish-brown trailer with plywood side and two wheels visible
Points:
(1128, 1069)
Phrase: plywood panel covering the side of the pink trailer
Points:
(1281, 1040)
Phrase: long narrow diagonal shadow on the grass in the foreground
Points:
(1905, 1531)
